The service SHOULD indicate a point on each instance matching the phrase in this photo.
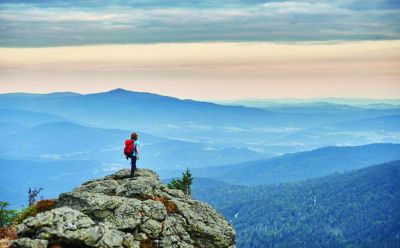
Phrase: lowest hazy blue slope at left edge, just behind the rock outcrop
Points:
(53, 176)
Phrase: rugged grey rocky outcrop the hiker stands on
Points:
(118, 211)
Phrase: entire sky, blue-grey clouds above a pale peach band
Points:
(203, 49)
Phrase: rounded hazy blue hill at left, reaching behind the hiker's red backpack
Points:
(65, 140)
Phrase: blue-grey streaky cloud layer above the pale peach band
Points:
(55, 23)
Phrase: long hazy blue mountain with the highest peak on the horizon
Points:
(125, 109)
